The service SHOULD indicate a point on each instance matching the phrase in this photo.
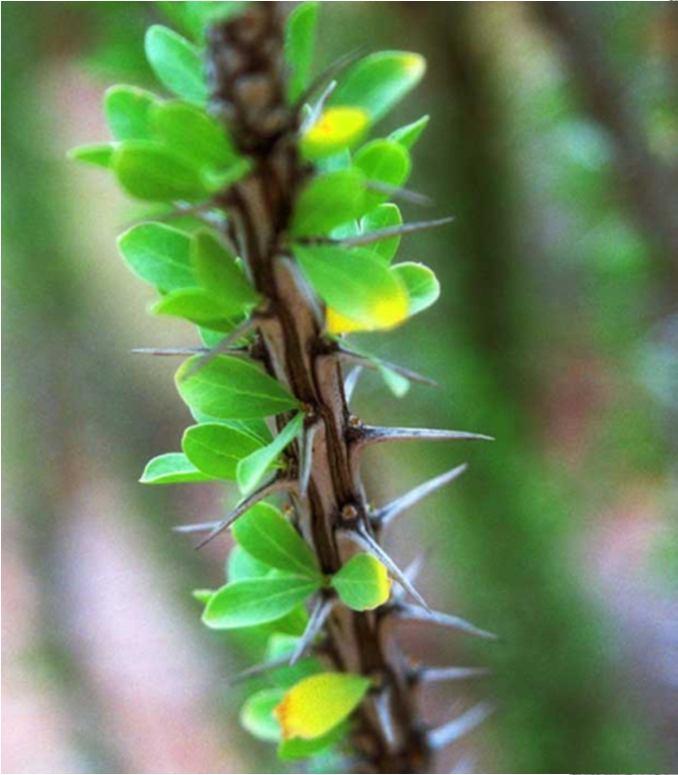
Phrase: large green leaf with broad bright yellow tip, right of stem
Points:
(356, 285)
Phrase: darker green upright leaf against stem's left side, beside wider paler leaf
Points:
(219, 274)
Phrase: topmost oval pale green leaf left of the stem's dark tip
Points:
(177, 63)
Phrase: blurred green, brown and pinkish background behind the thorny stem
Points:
(553, 141)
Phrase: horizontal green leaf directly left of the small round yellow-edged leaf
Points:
(256, 601)
